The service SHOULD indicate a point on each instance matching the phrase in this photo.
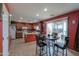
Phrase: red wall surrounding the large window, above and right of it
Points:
(71, 27)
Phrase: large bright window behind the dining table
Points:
(58, 26)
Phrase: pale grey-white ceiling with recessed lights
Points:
(26, 12)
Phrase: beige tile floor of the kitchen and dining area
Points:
(19, 48)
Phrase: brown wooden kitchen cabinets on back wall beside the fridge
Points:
(19, 26)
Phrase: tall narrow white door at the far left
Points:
(5, 31)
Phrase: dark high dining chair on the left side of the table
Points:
(41, 44)
